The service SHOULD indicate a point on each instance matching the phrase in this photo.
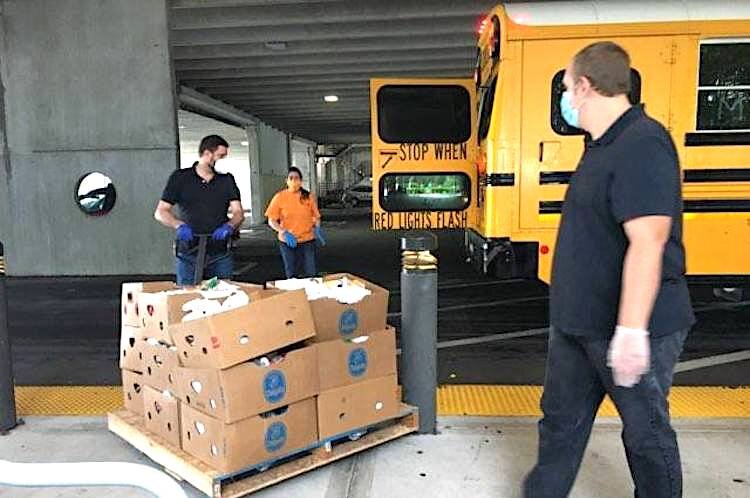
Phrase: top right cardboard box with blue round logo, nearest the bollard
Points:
(334, 320)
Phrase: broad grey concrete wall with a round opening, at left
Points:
(87, 87)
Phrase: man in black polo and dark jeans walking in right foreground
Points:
(619, 303)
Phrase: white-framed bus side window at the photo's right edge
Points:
(724, 87)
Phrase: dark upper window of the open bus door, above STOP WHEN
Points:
(424, 114)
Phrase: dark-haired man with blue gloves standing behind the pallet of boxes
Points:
(204, 197)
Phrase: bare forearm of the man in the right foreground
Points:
(641, 279)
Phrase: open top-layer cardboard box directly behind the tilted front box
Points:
(159, 310)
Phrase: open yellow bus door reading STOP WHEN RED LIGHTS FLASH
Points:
(424, 137)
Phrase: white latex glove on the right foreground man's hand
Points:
(629, 355)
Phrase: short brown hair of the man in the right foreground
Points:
(606, 65)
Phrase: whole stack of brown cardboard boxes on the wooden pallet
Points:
(246, 386)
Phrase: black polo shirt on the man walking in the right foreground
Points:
(631, 171)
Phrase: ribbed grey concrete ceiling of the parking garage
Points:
(276, 59)
